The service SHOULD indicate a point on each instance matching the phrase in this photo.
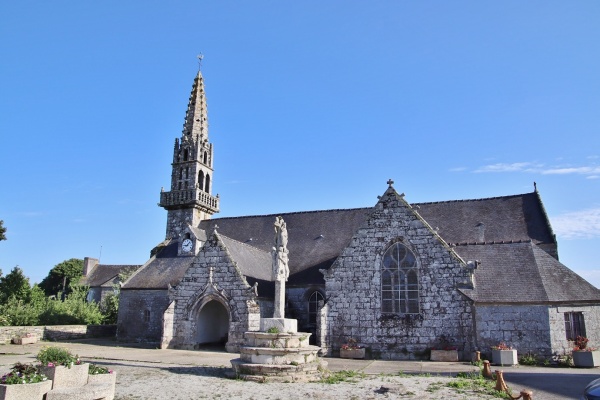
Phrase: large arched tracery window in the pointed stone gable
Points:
(399, 281)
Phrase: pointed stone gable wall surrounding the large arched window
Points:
(353, 287)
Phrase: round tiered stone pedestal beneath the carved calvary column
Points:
(278, 357)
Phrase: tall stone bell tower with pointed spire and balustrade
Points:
(190, 201)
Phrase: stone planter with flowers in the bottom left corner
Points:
(24, 382)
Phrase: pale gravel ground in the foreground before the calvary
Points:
(148, 381)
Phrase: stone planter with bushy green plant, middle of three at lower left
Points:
(64, 368)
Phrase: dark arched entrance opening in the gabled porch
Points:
(212, 324)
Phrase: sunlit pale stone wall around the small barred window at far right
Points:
(558, 335)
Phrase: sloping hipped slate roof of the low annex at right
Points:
(521, 272)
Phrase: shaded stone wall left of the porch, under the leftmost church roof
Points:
(141, 315)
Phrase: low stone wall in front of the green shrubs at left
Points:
(57, 332)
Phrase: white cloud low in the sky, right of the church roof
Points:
(578, 224)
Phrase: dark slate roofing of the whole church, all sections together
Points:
(516, 271)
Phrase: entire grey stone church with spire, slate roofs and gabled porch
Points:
(399, 278)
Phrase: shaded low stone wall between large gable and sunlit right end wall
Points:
(524, 327)
